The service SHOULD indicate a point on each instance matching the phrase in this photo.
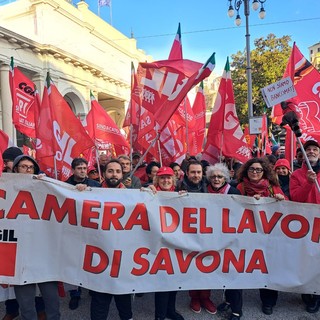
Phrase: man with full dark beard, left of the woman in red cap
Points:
(100, 301)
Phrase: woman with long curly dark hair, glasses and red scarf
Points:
(257, 179)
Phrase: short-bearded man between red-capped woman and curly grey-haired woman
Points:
(193, 181)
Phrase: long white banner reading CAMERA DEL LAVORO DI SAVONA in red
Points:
(129, 241)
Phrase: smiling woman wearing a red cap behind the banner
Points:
(165, 302)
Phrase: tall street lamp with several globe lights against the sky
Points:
(262, 14)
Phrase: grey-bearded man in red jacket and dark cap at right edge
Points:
(303, 188)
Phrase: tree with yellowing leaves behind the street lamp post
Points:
(268, 62)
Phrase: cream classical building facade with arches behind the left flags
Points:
(81, 51)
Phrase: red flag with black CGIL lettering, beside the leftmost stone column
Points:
(22, 93)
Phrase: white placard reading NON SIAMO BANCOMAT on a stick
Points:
(279, 91)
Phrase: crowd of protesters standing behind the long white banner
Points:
(268, 176)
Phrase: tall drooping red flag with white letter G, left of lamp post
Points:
(225, 136)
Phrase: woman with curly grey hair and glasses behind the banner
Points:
(218, 178)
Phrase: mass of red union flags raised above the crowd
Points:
(160, 120)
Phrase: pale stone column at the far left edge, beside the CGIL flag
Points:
(6, 102)
